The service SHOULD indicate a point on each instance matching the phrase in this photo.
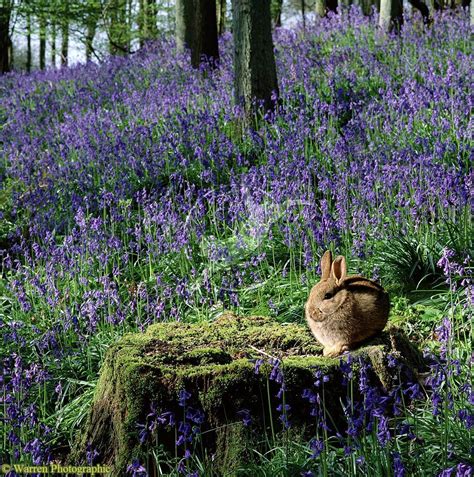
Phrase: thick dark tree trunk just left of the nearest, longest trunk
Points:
(196, 29)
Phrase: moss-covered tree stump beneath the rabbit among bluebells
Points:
(215, 363)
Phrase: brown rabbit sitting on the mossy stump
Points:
(341, 310)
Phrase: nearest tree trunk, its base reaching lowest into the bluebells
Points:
(254, 61)
